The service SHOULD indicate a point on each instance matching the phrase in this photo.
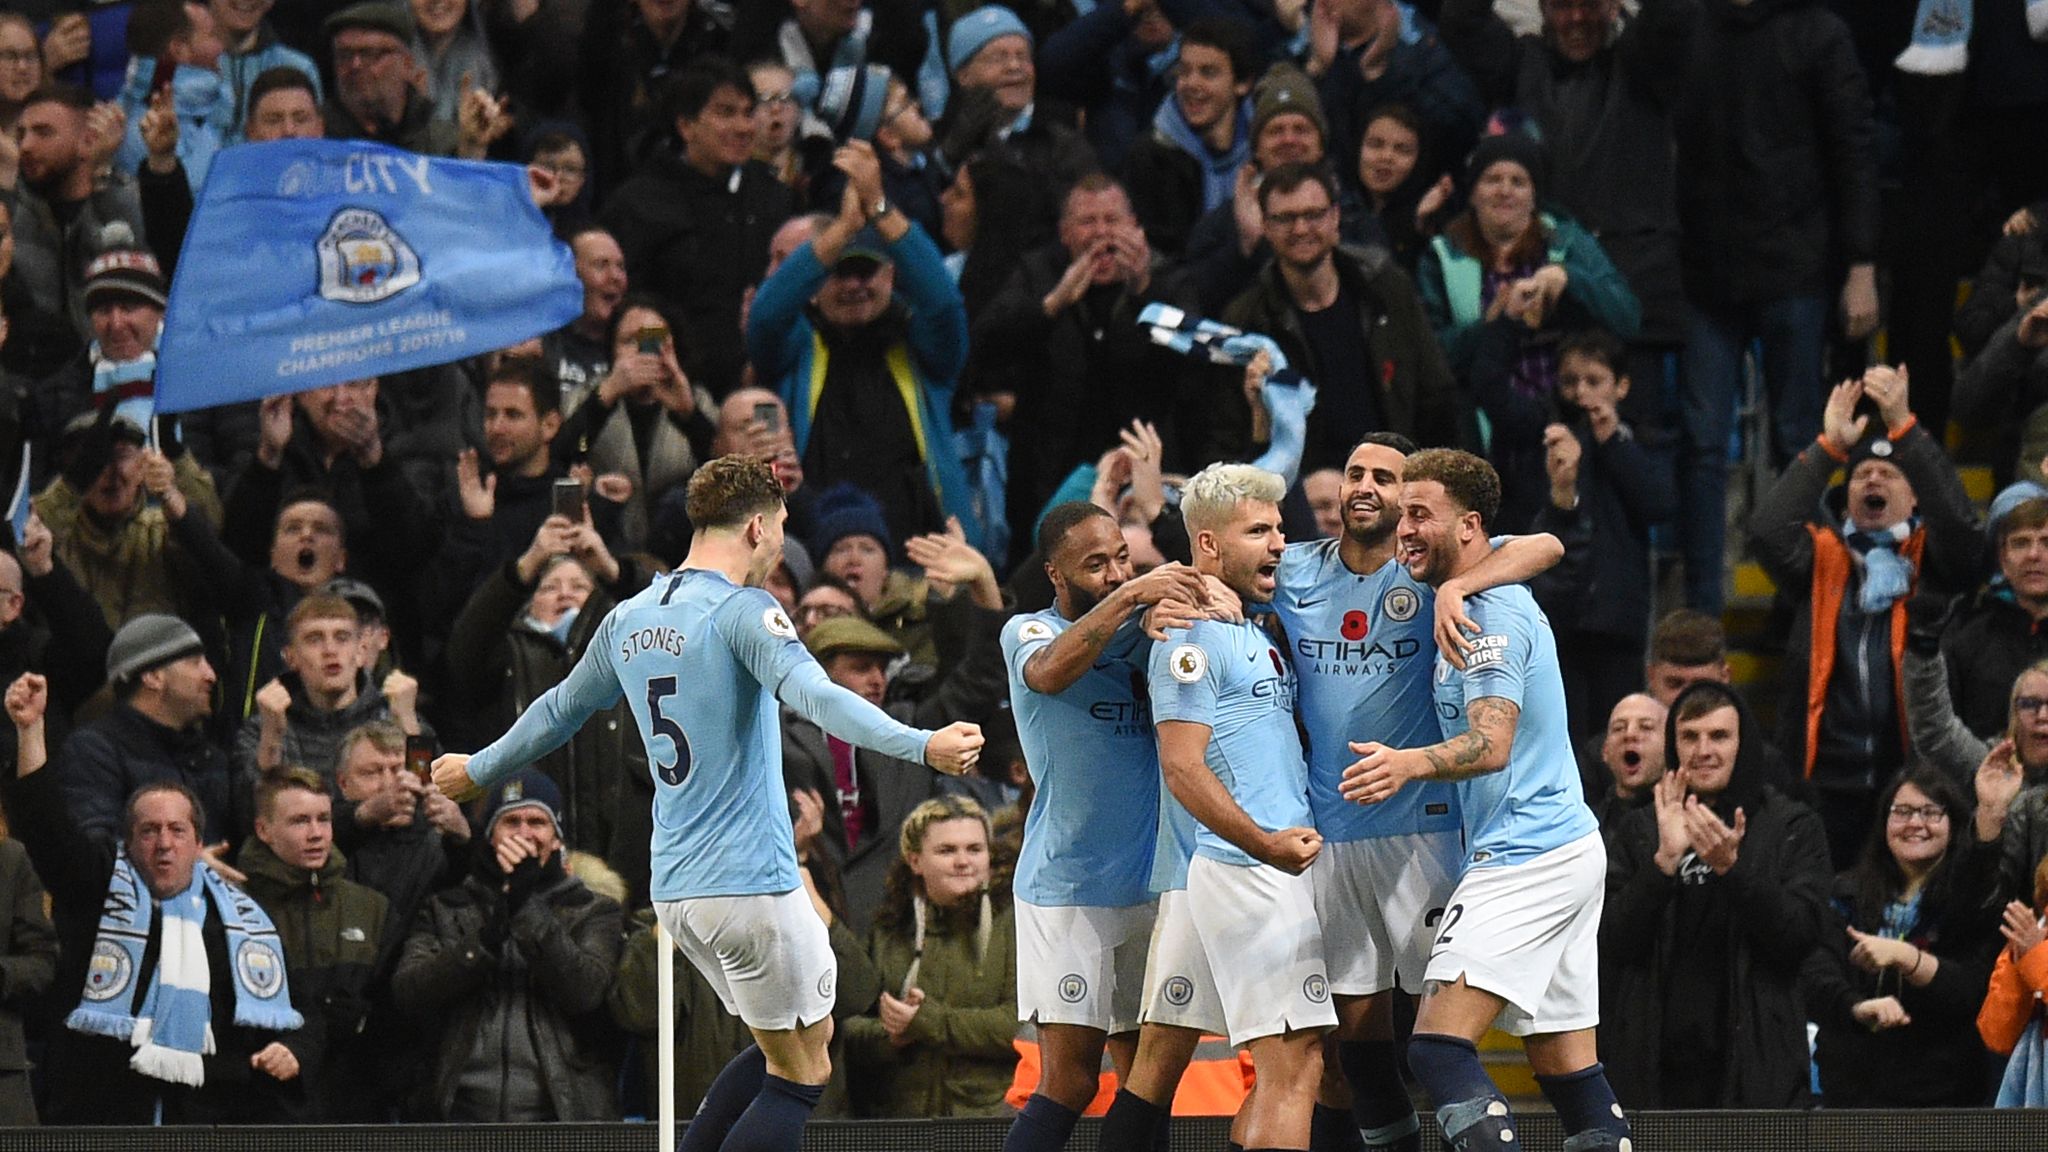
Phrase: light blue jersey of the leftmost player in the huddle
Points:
(1093, 827)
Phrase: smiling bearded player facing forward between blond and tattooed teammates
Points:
(1361, 634)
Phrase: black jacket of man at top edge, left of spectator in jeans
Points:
(1609, 132)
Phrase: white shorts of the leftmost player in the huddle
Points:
(1082, 966)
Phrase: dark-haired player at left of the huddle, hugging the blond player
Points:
(1084, 911)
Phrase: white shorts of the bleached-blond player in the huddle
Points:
(1265, 948)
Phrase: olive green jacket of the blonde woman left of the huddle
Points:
(959, 1061)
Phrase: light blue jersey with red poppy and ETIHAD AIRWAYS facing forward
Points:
(1363, 651)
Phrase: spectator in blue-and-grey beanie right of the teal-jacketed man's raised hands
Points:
(871, 104)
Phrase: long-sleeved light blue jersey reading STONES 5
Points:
(699, 663)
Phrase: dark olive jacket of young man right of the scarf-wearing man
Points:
(333, 934)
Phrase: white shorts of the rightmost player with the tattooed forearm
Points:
(1531, 936)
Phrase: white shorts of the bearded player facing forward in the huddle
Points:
(1379, 903)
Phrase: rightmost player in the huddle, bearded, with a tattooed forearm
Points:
(1521, 936)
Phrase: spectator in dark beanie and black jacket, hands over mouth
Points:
(521, 950)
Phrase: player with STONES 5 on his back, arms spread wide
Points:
(703, 655)
